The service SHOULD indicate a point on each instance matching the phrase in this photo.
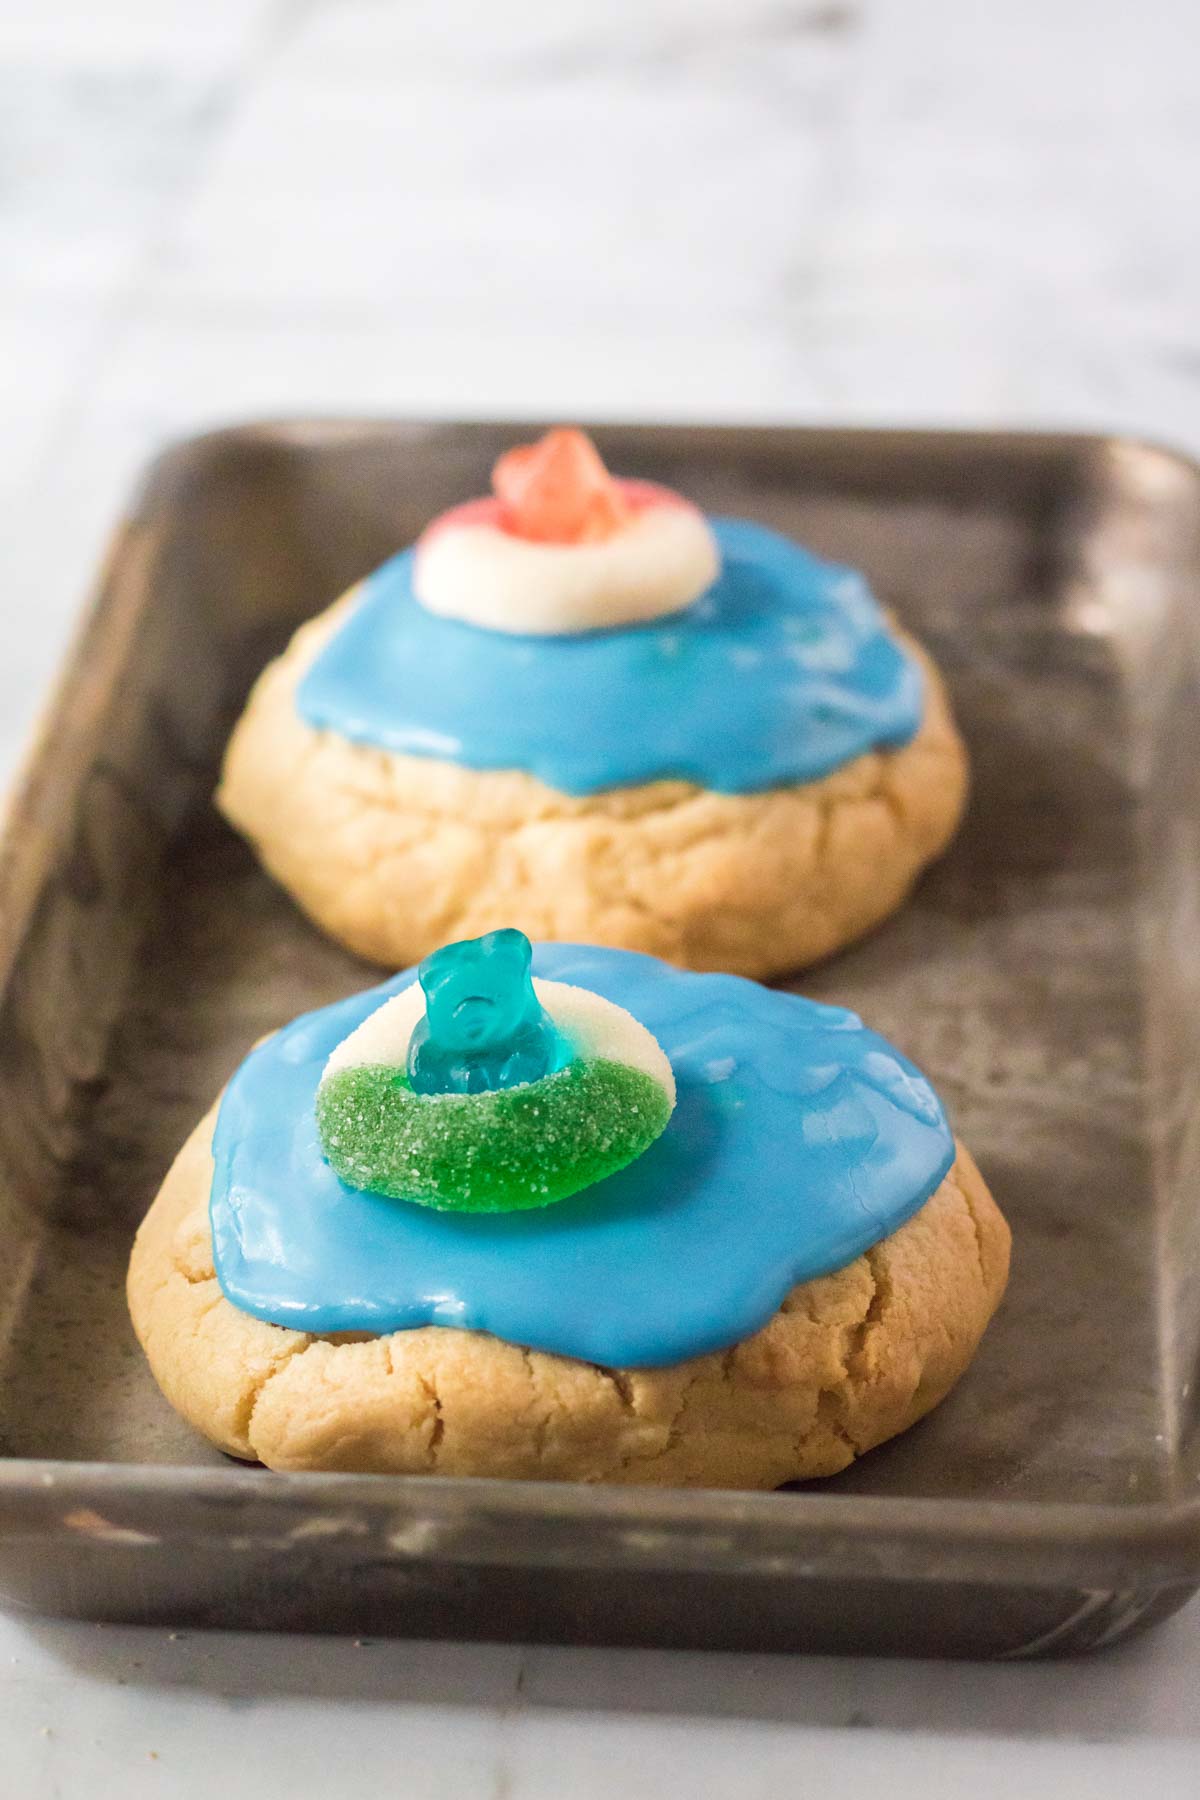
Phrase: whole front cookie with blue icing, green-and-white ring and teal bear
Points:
(764, 1257)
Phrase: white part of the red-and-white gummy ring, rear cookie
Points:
(659, 562)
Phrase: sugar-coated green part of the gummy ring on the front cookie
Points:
(497, 1153)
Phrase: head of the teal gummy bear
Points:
(479, 993)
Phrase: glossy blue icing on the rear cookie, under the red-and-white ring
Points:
(782, 672)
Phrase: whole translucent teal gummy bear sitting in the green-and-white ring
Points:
(485, 1027)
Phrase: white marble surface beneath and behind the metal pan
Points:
(742, 210)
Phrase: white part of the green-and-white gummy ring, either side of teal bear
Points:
(595, 1027)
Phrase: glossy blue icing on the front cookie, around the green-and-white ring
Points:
(800, 1140)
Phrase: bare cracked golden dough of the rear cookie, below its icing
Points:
(399, 854)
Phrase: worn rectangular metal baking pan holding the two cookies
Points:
(1046, 976)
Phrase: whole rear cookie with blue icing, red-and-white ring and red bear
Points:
(688, 737)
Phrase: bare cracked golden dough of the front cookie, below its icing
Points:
(848, 1362)
